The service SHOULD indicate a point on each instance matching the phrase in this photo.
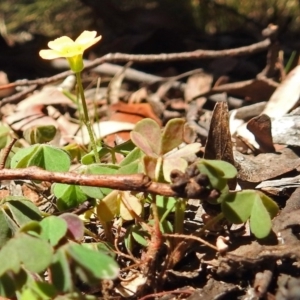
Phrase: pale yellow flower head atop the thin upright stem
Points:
(71, 50)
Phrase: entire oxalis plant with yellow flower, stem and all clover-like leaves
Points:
(45, 256)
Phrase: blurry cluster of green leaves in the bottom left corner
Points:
(54, 245)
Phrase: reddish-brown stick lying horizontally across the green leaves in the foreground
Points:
(135, 182)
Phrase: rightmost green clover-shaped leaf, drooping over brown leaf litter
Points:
(238, 207)
